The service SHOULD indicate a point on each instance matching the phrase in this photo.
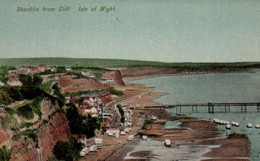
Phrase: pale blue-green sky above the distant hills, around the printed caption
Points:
(167, 31)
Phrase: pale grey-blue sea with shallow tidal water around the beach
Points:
(204, 88)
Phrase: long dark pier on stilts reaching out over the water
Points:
(210, 105)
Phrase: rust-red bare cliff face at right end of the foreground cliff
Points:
(56, 130)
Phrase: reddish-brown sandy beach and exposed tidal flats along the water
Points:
(192, 131)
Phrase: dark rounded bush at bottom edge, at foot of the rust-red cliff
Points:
(67, 151)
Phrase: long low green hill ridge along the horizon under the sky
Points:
(88, 62)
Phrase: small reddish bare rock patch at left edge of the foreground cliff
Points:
(5, 132)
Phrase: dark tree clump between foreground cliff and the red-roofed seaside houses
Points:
(81, 124)
